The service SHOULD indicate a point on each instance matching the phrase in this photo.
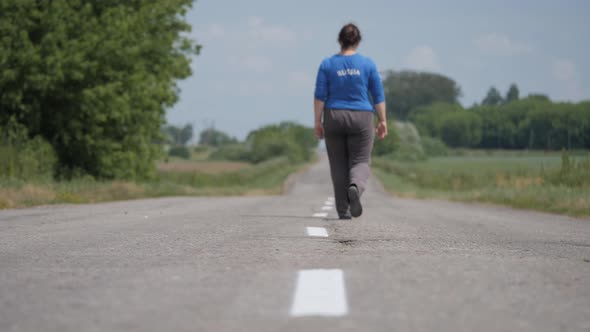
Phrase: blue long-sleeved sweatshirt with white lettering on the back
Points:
(344, 82)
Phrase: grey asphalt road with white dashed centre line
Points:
(239, 264)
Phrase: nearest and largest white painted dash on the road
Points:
(319, 293)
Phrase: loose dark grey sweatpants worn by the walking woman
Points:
(349, 140)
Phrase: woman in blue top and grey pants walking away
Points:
(343, 84)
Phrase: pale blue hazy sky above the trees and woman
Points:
(260, 57)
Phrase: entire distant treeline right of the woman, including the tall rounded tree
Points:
(430, 101)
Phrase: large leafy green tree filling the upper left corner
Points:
(94, 77)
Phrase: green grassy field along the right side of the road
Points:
(546, 182)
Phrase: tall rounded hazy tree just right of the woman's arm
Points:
(406, 90)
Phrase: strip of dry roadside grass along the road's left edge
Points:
(200, 179)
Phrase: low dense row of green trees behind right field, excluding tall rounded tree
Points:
(530, 123)
